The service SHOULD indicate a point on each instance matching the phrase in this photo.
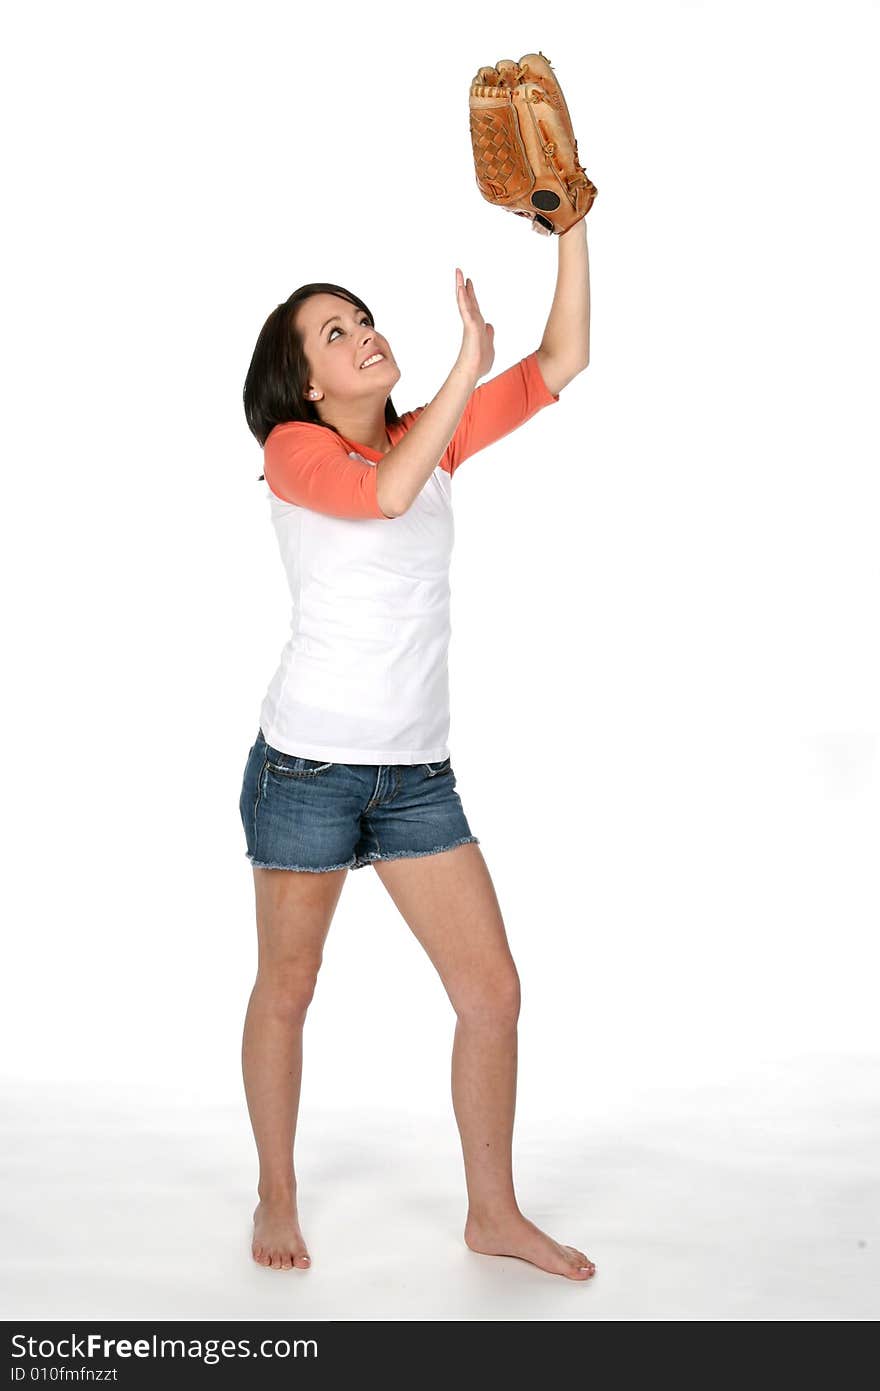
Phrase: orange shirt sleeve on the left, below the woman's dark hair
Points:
(311, 467)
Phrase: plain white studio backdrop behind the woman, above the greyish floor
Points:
(665, 668)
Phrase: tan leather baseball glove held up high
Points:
(525, 150)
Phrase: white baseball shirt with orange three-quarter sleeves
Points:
(364, 677)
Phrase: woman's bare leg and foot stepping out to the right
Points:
(450, 903)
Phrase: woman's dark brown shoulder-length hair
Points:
(279, 373)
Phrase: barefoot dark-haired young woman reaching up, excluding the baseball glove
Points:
(351, 763)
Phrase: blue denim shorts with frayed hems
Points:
(307, 814)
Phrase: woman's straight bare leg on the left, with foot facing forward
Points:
(294, 915)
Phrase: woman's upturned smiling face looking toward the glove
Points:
(339, 339)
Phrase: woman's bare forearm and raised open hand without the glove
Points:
(404, 472)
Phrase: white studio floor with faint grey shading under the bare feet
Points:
(753, 1201)
